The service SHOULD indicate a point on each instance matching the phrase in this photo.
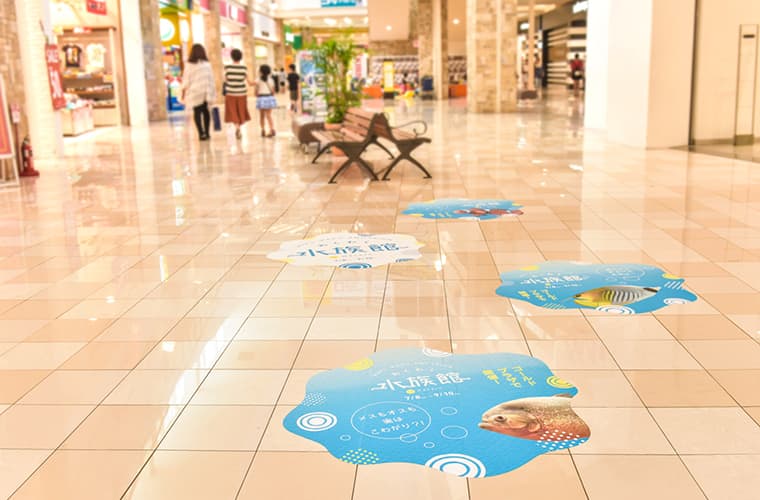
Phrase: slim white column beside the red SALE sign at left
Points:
(45, 128)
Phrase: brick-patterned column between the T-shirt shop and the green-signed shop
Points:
(155, 86)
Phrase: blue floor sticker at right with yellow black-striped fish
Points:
(612, 288)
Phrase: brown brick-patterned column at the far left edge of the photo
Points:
(10, 67)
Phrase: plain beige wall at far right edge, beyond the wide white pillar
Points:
(714, 108)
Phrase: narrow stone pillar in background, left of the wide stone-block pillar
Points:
(433, 50)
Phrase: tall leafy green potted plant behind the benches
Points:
(334, 58)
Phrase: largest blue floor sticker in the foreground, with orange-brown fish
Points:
(474, 415)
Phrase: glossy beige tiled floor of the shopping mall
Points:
(149, 350)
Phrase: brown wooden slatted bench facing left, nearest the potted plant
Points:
(353, 138)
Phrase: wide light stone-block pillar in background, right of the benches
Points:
(491, 56)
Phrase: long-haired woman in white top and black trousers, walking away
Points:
(198, 89)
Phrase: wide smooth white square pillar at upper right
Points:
(639, 71)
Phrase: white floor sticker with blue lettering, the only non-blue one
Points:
(349, 250)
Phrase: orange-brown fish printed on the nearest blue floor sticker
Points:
(545, 419)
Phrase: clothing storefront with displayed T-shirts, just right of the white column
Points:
(92, 66)
